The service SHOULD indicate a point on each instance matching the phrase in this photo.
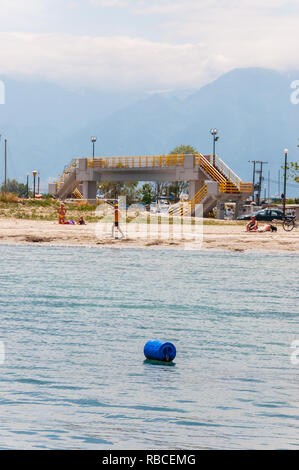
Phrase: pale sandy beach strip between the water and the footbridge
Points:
(223, 237)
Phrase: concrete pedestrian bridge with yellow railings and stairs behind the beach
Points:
(211, 181)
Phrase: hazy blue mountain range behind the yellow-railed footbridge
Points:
(46, 125)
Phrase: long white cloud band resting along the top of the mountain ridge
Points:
(124, 62)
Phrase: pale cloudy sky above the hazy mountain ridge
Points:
(147, 45)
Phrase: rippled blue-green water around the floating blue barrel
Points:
(75, 320)
